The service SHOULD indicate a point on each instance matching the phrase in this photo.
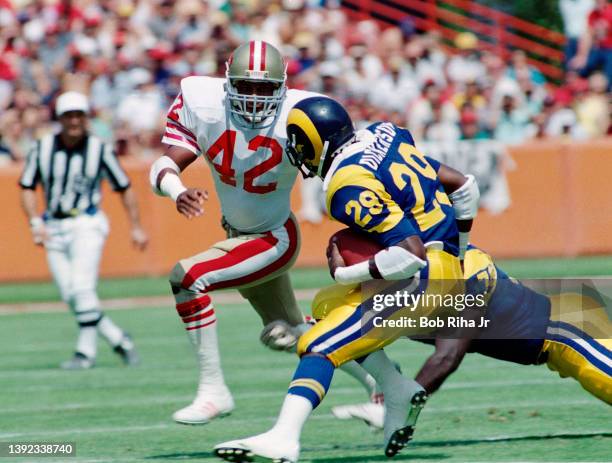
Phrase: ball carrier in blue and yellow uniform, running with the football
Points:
(420, 212)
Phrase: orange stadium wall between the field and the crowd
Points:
(560, 207)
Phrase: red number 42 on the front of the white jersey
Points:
(226, 142)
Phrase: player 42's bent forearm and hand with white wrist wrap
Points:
(165, 181)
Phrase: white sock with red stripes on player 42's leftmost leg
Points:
(200, 321)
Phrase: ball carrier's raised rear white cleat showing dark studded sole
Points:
(401, 416)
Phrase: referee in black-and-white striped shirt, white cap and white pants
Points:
(70, 166)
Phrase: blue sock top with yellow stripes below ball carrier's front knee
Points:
(312, 378)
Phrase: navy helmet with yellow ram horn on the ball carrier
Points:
(317, 129)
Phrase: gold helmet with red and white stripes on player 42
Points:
(255, 84)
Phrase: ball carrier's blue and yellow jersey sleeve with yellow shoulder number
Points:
(371, 211)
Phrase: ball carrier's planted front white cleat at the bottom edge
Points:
(267, 447)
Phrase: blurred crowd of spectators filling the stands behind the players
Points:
(129, 56)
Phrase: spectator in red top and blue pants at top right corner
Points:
(595, 47)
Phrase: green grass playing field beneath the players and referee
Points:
(487, 411)
